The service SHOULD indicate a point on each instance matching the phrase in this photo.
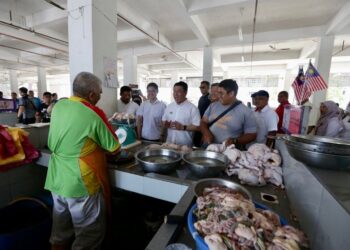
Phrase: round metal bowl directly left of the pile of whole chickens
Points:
(205, 163)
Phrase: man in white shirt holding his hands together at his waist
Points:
(181, 117)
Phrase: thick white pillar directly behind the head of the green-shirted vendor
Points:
(92, 29)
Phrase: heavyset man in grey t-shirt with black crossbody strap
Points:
(238, 126)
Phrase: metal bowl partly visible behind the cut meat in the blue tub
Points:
(217, 182)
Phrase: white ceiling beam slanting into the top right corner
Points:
(339, 21)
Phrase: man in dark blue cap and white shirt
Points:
(266, 118)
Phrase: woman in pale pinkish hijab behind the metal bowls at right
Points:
(329, 123)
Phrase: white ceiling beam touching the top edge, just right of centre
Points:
(197, 7)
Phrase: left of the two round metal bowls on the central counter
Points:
(158, 160)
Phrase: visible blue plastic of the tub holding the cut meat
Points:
(200, 243)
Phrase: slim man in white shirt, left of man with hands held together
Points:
(149, 115)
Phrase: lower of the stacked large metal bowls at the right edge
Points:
(319, 160)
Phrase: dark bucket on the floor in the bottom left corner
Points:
(25, 224)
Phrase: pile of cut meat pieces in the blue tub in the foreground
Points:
(227, 220)
